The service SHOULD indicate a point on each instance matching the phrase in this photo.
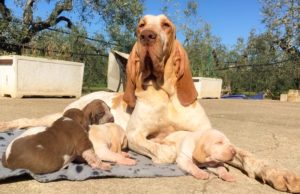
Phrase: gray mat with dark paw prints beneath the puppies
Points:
(144, 167)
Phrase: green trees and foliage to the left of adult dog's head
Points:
(117, 18)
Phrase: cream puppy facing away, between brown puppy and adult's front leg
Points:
(109, 140)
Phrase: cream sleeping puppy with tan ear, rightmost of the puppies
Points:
(208, 148)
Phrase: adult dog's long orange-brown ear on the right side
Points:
(186, 90)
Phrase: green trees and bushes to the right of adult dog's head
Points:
(269, 61)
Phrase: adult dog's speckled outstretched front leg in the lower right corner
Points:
(278, 178)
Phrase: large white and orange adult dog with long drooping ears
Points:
(160, 88)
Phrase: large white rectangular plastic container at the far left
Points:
(30, 76)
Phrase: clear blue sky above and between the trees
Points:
(229, 19)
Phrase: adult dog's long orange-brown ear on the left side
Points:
(131, 73)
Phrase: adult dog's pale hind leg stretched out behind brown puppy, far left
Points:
(25, 122)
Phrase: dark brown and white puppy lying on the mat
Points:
(48, 149)
